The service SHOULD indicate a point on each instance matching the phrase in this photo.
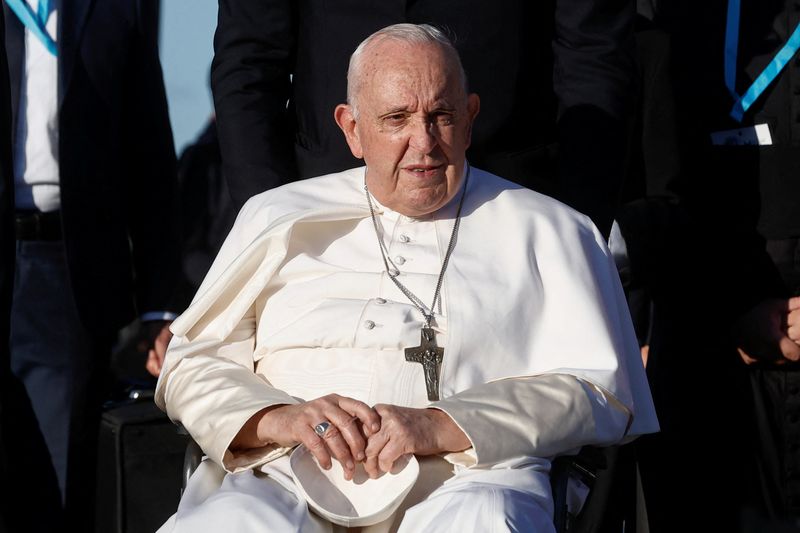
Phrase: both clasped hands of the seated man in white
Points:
(375, 436)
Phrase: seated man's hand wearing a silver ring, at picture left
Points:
(351, 423)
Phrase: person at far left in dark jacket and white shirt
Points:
(96, 234)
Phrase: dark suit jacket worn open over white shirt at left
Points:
(116, 157)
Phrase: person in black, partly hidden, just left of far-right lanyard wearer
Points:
(696, 384)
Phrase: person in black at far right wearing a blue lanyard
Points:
(737, 81)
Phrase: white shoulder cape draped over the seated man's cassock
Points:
(545, 299)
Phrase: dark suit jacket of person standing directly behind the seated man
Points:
(518, 54)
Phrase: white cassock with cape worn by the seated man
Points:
(540, 357)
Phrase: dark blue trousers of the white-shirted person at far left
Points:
(57, 368)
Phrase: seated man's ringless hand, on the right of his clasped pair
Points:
(405, 431)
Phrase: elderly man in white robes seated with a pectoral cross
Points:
(416, 306)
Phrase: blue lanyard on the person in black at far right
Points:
(767, 76)
